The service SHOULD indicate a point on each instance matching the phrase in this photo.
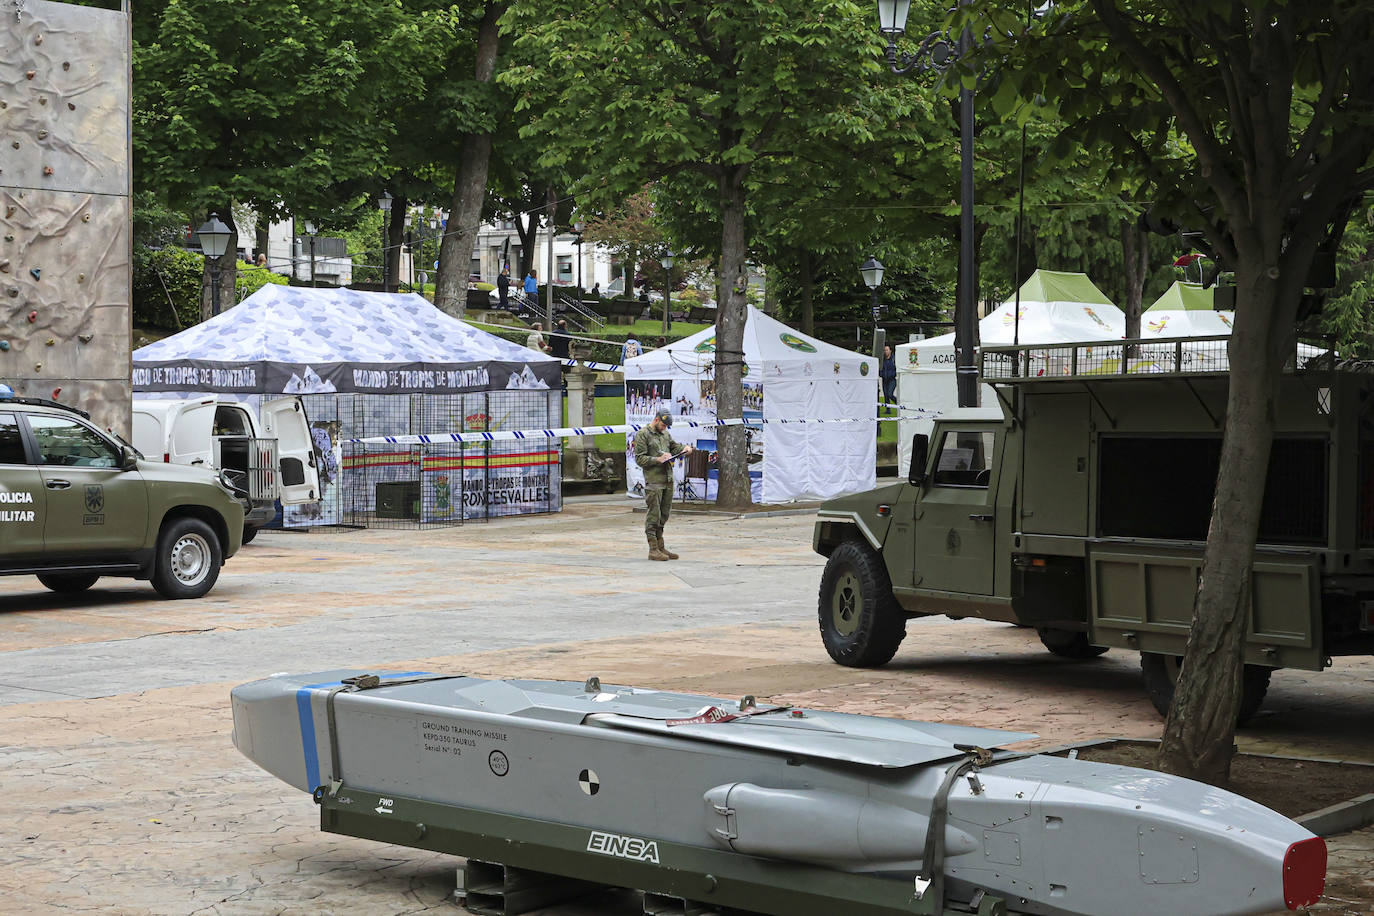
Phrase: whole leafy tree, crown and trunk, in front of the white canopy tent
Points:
(692, 87)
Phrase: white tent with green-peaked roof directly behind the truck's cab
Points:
(1056, 308)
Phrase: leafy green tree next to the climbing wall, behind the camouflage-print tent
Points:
(269, 109)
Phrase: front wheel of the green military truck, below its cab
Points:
(861, 621)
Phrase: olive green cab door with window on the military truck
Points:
(956, 516)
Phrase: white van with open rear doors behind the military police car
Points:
(275, 455)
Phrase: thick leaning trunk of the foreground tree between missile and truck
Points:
(1200, 731)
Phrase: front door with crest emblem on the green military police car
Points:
(94, 506)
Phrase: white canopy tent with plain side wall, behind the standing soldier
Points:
(789, 376)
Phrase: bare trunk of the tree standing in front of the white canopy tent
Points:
(730, 343)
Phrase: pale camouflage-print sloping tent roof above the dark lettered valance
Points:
(299, 325)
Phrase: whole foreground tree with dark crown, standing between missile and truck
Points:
(1254, 120)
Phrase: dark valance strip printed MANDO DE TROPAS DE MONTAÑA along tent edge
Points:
(362, 378)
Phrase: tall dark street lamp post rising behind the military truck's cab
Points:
(935, 54)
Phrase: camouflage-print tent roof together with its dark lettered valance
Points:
(297, 340)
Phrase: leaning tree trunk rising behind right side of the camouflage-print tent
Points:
(455, 256)
